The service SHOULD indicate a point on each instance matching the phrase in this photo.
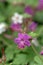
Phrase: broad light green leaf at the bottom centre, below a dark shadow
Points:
(20, 59)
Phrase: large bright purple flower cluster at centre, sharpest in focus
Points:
(22, 40)
